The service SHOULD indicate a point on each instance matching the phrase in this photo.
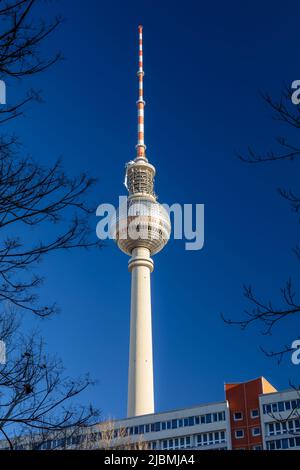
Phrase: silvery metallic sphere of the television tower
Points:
(141, 223)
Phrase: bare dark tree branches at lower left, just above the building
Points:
(34, 394)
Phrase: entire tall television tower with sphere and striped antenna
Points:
(142, 228)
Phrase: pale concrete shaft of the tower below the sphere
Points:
(140, 375)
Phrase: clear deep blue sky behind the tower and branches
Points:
(205, 64)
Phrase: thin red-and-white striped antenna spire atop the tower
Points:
(141, 147)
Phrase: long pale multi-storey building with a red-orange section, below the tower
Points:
(252, 416)
